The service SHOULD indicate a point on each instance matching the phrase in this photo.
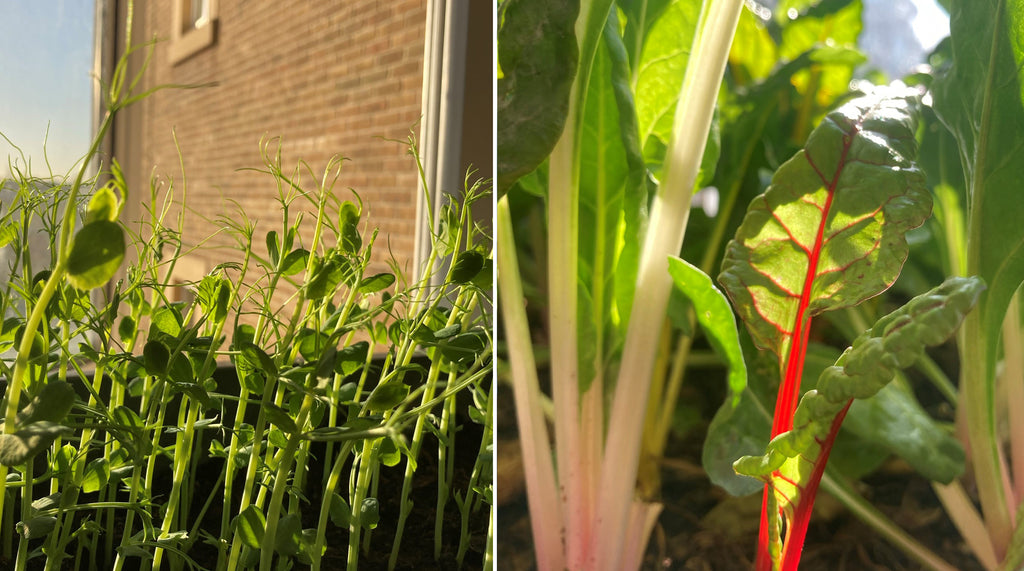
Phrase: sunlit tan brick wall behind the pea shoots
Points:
(329, 77)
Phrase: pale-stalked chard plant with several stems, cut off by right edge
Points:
(978, 100)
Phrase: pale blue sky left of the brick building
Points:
(47, 66)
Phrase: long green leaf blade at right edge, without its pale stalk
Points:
(980, 100)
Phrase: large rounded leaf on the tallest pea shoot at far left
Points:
(96, 255)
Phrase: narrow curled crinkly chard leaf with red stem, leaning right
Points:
(795, 460)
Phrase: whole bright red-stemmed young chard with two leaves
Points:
(829, 234)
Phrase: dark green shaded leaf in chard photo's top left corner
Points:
(538, 58)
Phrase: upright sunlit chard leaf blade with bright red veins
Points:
(830, 232)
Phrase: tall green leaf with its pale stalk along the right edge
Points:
(979, 99)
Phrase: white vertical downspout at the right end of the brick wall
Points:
(441, 128)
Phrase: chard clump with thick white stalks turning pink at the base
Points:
(606, 110)
